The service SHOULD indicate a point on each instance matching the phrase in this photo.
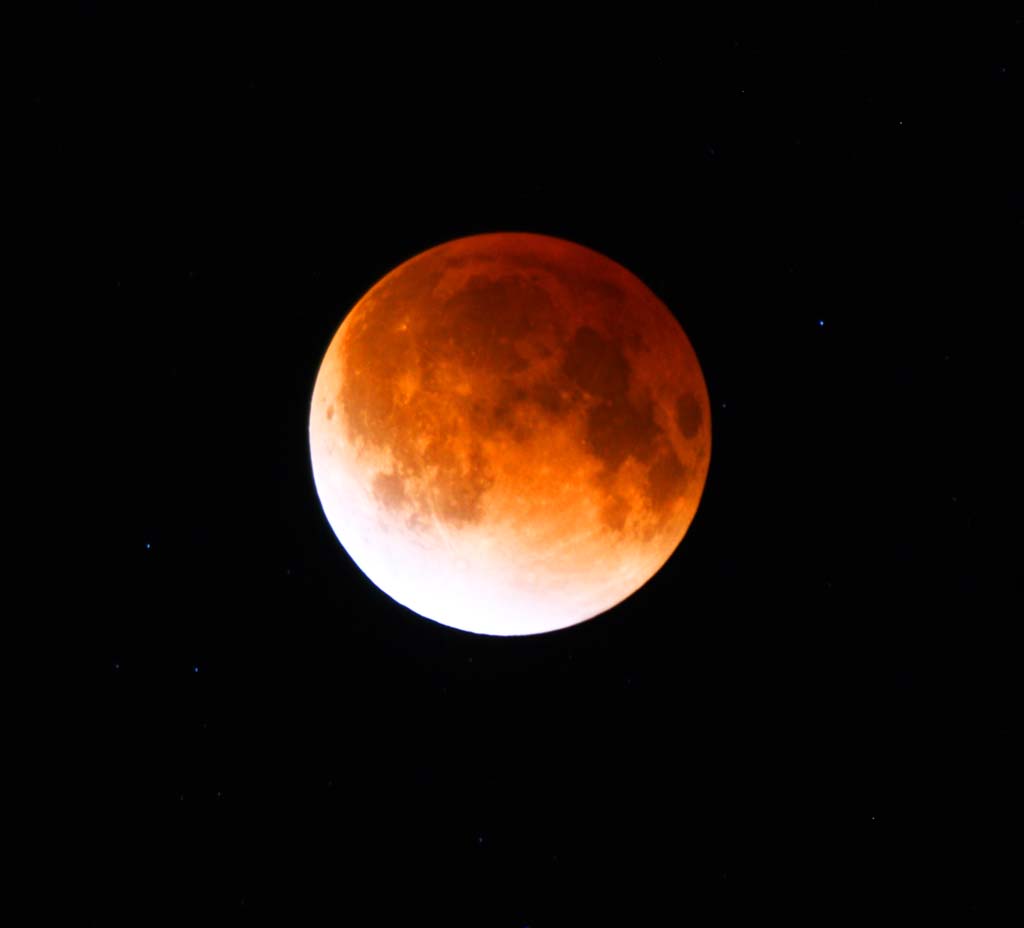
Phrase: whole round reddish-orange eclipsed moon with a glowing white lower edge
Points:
(510, 434)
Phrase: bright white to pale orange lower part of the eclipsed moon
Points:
(475, 578)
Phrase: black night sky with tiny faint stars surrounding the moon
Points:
(807, 712)
